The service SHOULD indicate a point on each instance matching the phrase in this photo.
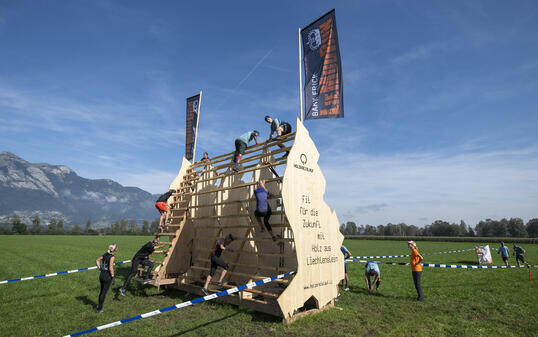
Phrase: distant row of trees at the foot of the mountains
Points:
(14, 225)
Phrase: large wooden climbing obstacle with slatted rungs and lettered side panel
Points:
(212, 201)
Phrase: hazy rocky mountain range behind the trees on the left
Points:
(56, 191)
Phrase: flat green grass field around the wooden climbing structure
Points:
(458, 302)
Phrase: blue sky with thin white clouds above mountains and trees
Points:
(441, 98)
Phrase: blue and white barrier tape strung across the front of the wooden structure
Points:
(184, 304)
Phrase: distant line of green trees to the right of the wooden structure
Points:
(486, 228)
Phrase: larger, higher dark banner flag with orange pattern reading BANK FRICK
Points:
(323, 90)
